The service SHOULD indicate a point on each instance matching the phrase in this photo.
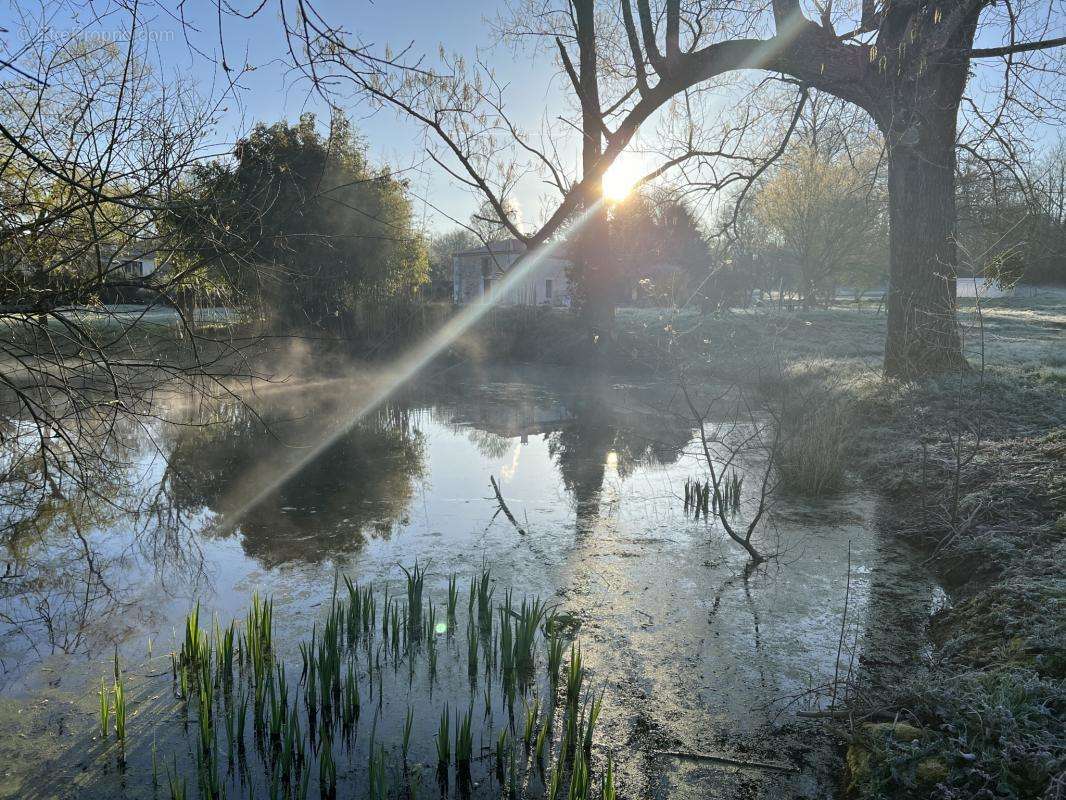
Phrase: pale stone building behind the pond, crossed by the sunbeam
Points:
(475, 274)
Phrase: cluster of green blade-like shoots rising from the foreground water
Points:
(295, 723)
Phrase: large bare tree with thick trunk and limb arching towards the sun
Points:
(907, 63)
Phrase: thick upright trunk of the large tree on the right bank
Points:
(923, 329)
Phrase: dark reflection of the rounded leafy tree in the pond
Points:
(361, 487)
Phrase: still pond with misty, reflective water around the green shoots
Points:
(702, 666)
